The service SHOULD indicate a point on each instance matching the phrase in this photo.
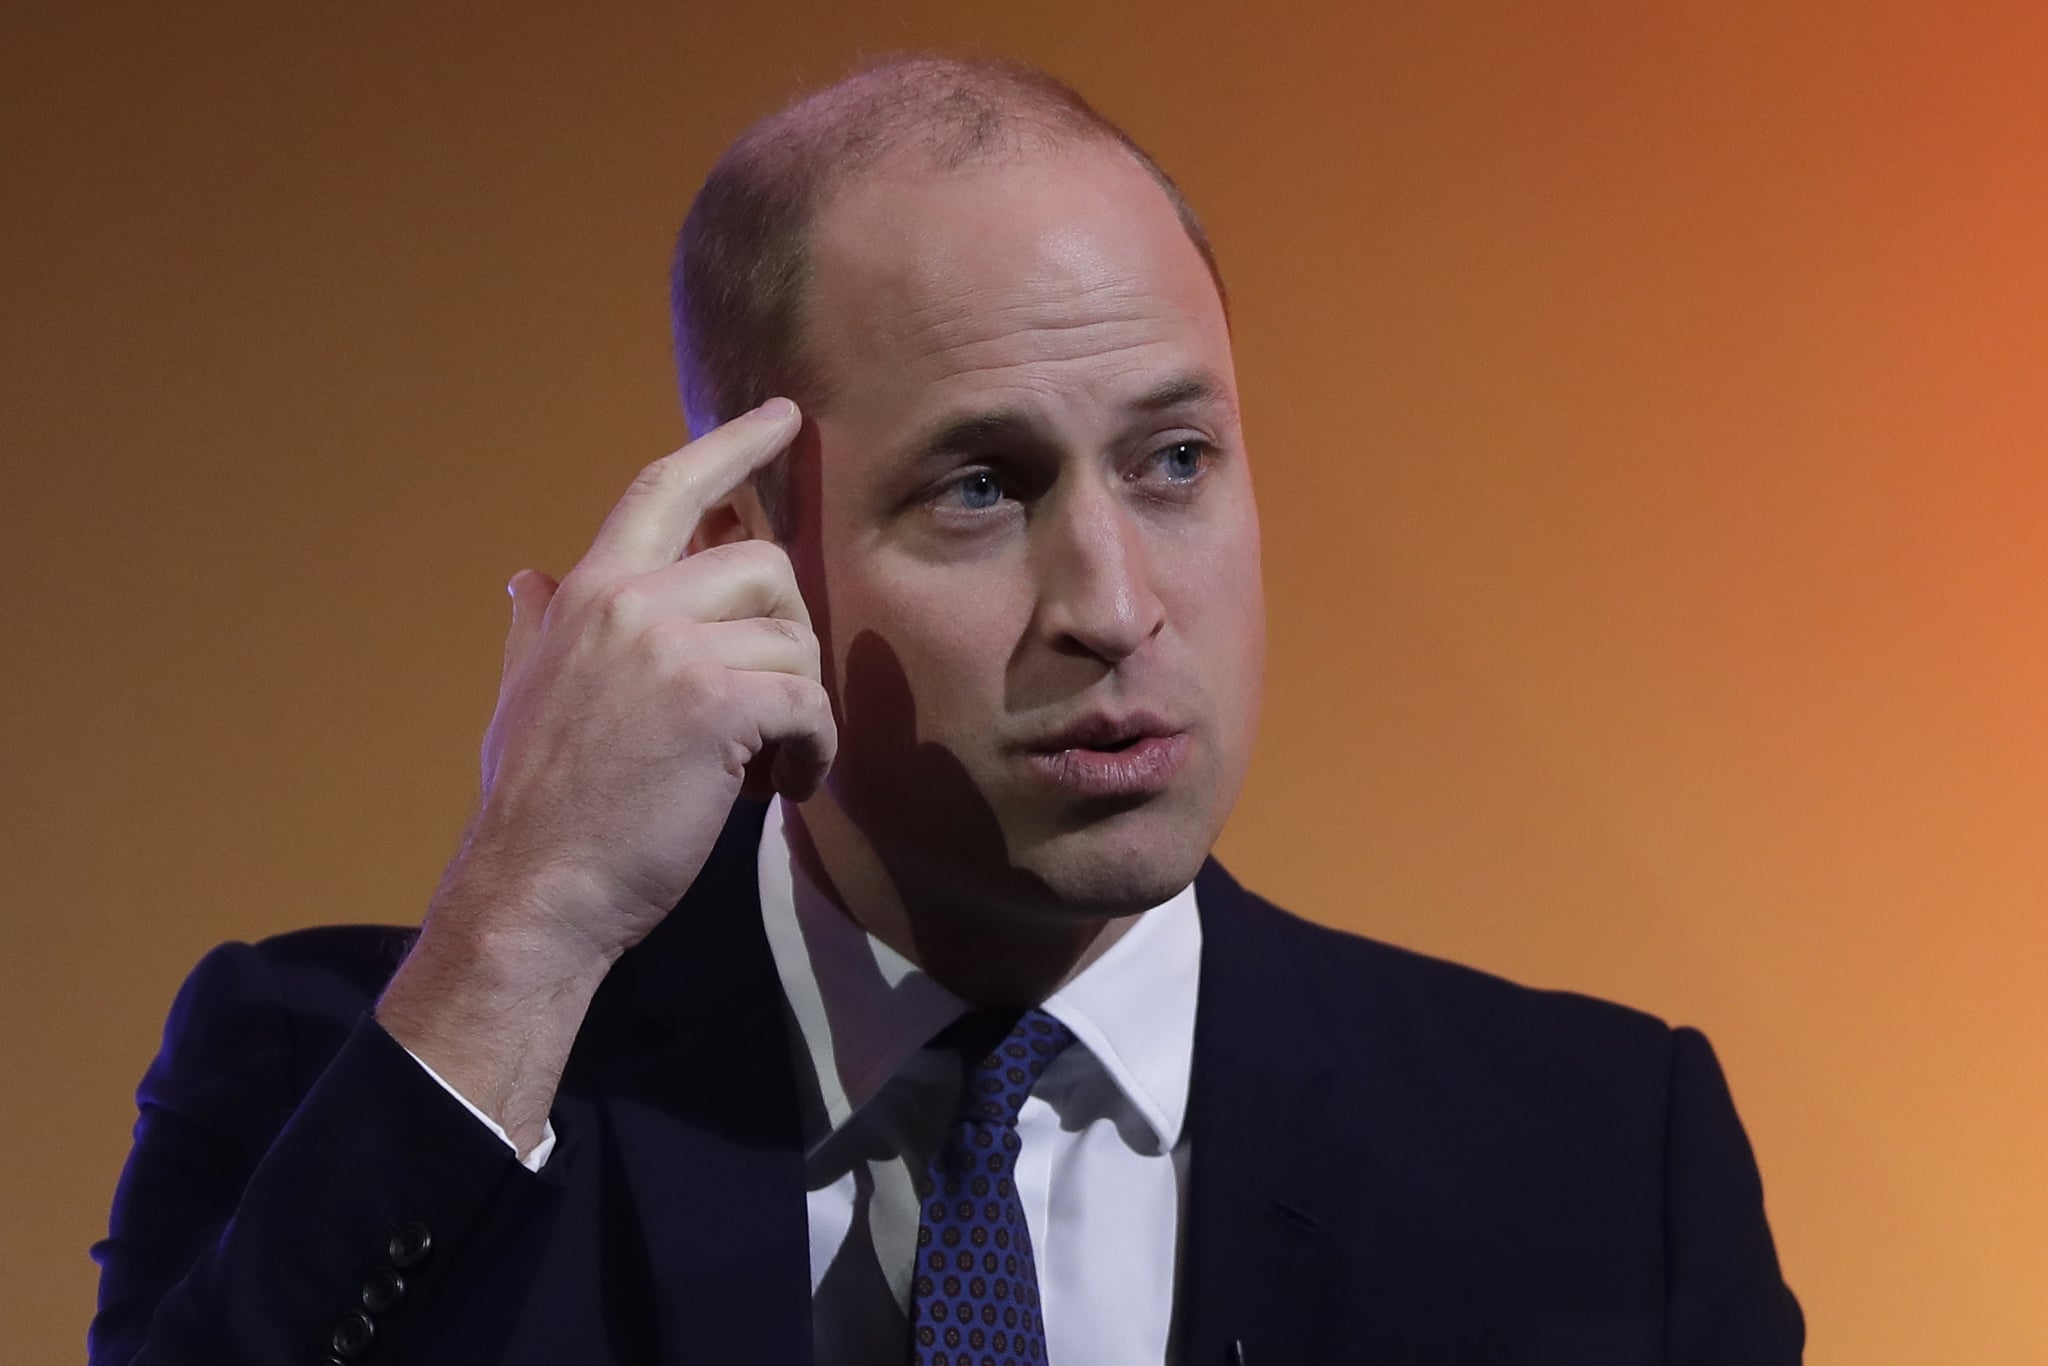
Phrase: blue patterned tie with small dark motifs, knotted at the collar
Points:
(976, 1293)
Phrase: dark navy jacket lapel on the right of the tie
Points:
(1258, 1273)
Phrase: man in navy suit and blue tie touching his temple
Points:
(957, 1050)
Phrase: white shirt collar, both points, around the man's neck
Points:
(863, 1011)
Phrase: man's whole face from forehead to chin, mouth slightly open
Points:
(1029, 536)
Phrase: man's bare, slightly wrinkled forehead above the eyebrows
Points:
(1064, 273)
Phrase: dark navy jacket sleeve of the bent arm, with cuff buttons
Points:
(288, 1154)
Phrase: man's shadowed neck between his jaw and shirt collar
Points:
(988, 951)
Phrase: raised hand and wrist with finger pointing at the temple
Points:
(638, 695)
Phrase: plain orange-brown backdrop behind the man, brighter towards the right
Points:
(1648, 411)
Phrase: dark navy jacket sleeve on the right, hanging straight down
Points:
(1727, 1301)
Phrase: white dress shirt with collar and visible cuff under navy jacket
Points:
(1103, 1170)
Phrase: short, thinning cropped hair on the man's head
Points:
(744, 255)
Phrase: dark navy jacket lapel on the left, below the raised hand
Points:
(701, 1111)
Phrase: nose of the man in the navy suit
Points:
(1095, 577)
